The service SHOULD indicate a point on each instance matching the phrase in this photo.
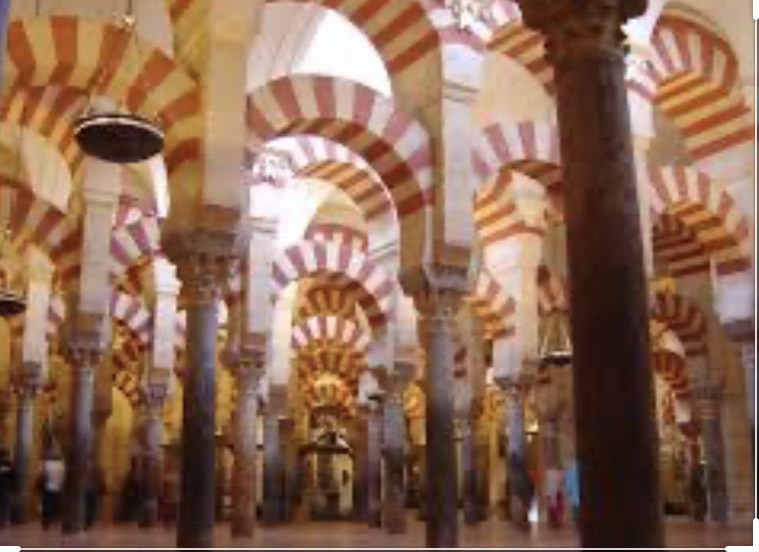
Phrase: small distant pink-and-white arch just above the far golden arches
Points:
(342, 332)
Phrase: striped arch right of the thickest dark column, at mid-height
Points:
(712, 223)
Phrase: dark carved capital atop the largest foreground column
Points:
(572, 26)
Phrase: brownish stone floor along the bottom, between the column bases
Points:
(680, 533)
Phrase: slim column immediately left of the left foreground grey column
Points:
(155, 397)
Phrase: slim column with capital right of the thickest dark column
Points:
(707, 400)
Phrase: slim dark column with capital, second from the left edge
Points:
(84, 359)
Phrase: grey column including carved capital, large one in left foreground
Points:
(204, 260)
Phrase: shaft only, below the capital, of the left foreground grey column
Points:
(198, 482)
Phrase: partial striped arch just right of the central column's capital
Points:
(493, 306)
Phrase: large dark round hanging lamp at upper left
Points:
(118, 136)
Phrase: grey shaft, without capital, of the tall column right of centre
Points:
(441, 493)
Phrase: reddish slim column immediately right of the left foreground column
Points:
(248, 371)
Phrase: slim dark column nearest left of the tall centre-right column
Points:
(394, 452)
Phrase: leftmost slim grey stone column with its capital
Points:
(29, 384)
